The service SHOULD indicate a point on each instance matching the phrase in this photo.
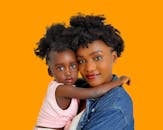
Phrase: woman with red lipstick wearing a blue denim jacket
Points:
(97, 46)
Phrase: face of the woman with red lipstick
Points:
(95, 62)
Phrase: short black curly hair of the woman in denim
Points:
(84, 29)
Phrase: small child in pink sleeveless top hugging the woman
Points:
(61, 102)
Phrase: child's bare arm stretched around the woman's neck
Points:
(84, 93)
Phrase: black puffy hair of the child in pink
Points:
(53, 40)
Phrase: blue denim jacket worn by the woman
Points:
(112, 111)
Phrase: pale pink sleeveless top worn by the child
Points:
(51, 115)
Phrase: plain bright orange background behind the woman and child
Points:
(24, 77)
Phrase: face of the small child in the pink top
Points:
(64, 67)
